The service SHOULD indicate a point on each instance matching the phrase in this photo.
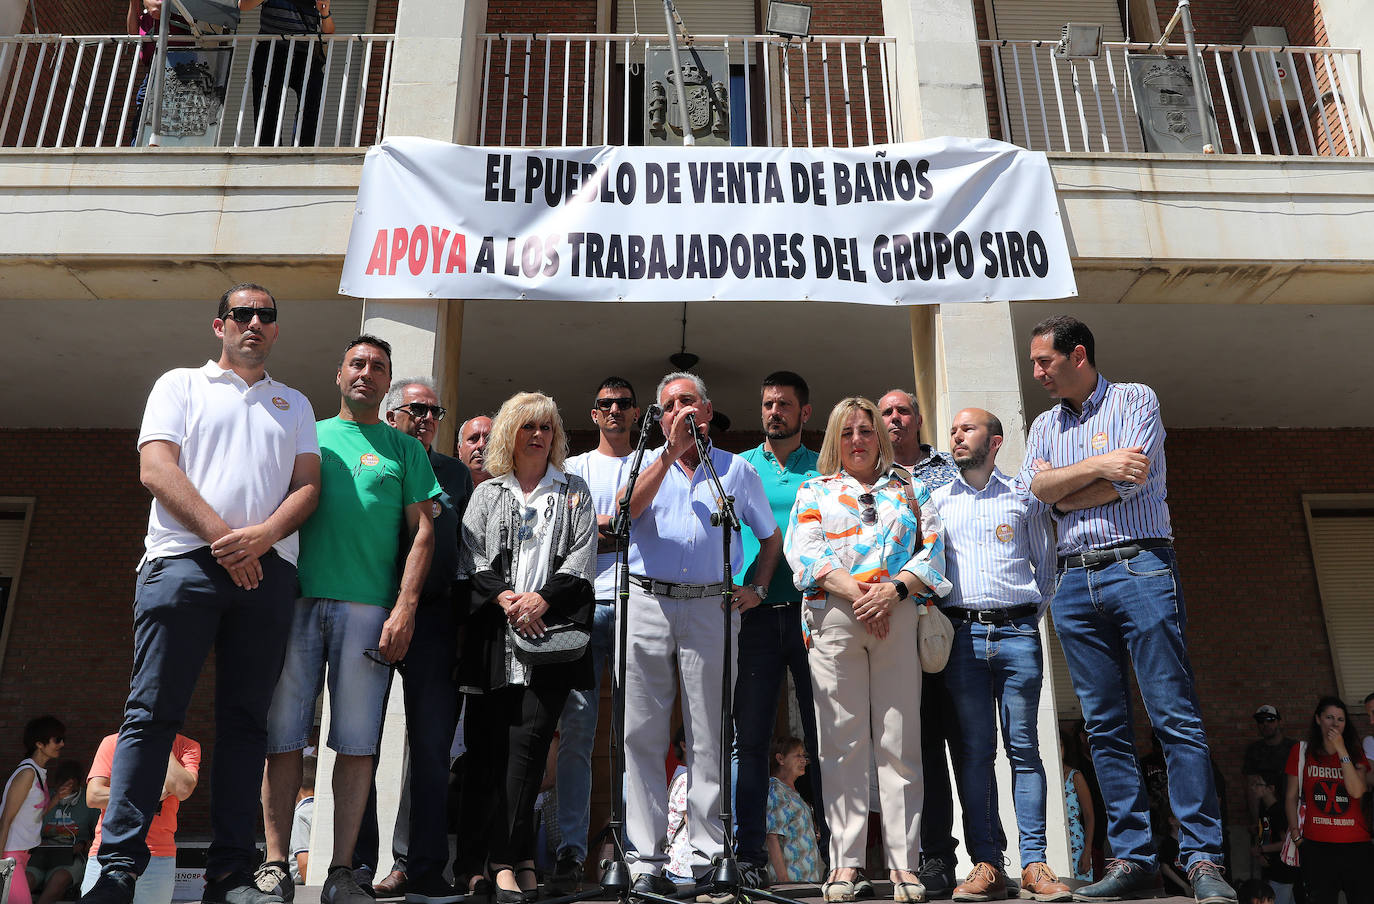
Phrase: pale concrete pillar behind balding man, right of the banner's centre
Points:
(965, 355)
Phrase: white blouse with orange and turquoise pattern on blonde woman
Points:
(832, 530)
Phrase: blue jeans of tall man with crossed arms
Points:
(1111, 619)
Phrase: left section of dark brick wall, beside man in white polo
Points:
(71, 637)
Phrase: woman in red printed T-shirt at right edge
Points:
(1331, 778)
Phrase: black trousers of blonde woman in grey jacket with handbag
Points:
(509, 733)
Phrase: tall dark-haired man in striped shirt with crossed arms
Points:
(1097, 458)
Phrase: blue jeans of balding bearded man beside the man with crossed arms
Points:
(1000, 670)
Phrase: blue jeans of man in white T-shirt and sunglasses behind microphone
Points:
(576, 734)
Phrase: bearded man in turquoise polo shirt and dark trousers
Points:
(770, 635)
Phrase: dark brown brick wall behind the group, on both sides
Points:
(1257, 627)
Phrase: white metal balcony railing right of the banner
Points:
(1279, 101)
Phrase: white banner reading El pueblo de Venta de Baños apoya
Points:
(947, 221)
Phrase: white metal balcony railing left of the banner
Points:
(86, 91)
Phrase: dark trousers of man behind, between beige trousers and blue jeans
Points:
(941, 727)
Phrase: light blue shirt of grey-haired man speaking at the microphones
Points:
(674, 539)
